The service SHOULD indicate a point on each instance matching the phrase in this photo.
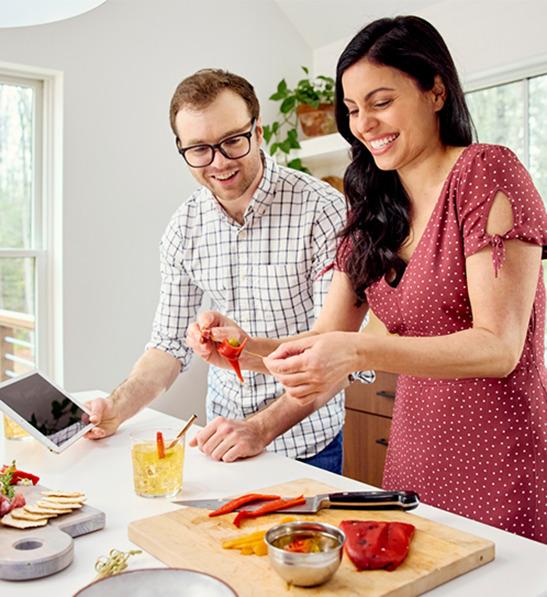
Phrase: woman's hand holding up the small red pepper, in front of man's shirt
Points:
(208, 331)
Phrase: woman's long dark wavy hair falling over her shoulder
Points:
(378, 206)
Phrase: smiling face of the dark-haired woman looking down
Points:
(393, 118)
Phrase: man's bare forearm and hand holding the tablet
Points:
(152, 374)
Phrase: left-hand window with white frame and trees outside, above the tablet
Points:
(29, 148)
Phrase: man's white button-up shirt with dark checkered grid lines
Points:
(264, 275)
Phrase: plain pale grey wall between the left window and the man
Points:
(122, 176)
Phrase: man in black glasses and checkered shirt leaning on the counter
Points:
(254, 239)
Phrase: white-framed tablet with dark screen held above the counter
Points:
(48, 413)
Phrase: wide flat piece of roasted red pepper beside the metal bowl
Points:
(373, 545)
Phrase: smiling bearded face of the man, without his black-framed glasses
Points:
(228, 115)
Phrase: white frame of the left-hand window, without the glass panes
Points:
(47, 232)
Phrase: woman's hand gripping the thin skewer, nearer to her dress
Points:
(312, 367)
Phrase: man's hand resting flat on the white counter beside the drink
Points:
(229, 440)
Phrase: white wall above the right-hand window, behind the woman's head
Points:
(482, 36)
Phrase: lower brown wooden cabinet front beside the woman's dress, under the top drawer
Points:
(365, 445)
